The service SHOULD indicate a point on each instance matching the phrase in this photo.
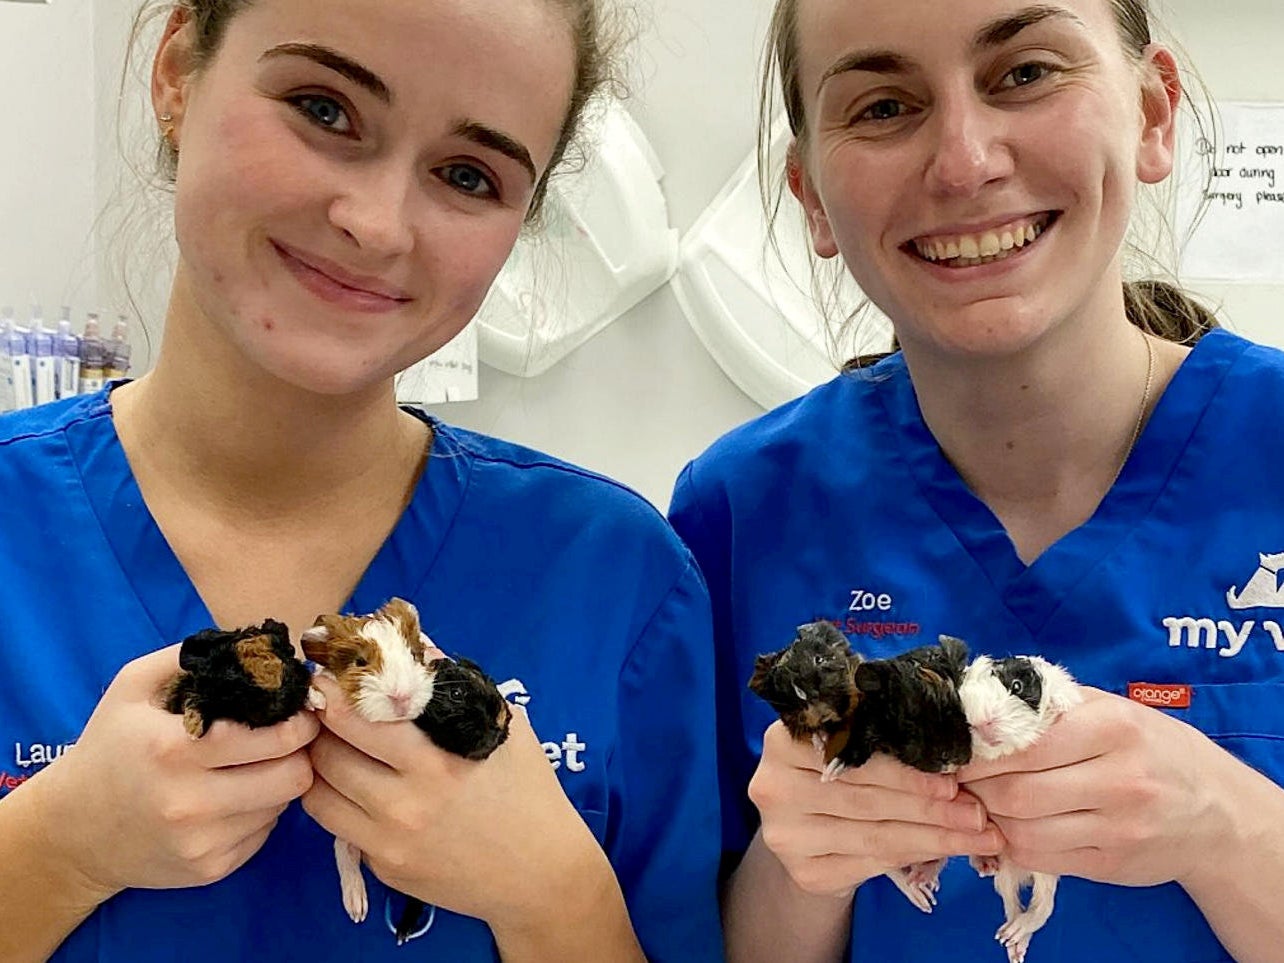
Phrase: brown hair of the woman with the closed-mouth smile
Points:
(598, 39)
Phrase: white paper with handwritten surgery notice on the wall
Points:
(1241, 236)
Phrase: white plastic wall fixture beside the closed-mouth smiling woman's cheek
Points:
(605, 246)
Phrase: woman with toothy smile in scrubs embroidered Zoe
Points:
(1055, 463)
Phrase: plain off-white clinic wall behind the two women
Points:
(644, 395)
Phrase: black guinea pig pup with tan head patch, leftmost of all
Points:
(250, 676)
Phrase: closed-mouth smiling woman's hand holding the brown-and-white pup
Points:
(494, 839)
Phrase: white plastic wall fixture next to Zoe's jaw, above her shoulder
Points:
(753, 309)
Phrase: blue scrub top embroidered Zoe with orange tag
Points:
(842, 507)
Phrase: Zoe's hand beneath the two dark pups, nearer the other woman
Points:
(831, 838)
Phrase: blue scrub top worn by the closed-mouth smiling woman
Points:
(571, 590)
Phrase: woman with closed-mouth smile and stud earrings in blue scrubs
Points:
(350, 177)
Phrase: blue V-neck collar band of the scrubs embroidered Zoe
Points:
(1033, 593)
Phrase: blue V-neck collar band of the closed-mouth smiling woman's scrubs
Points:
(162, 585)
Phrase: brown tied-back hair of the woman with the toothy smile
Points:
(1155, 306)
